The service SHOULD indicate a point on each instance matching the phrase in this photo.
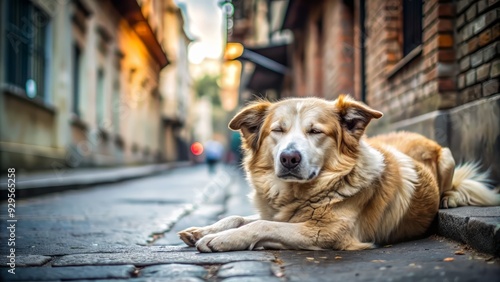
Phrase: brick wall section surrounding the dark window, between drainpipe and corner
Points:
(423, 80)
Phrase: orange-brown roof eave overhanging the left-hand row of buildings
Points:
(131, 11)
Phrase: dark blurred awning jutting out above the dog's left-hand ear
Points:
(271, 64)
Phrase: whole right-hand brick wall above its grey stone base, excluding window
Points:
(455, 64)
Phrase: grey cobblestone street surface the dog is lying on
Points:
(127, 231)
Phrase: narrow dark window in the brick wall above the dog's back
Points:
(412, 25)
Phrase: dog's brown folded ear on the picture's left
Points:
(249, 121)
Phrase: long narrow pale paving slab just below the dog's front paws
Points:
(152, 258)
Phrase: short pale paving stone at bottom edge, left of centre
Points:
(174, 271)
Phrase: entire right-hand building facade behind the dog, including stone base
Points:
(429, 66)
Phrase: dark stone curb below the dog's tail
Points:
(478, 227)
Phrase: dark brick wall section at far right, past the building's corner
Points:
(478, 48)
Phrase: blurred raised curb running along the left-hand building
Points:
(59, 183)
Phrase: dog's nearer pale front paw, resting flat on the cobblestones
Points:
(222, 242)
